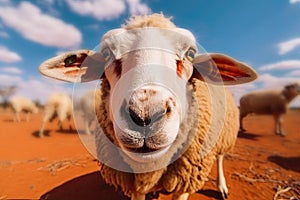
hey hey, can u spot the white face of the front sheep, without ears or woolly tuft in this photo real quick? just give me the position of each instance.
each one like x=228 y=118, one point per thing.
x=148 y=77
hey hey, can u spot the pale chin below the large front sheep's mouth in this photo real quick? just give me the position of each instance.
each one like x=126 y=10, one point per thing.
x=146 y=157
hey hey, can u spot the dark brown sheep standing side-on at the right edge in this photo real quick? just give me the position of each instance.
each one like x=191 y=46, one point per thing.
x=269 y=102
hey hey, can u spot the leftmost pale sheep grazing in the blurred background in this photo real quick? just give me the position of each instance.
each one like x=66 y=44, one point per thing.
x=22 y=104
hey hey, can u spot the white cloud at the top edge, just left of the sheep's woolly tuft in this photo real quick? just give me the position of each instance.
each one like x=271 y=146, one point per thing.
x=106 y=10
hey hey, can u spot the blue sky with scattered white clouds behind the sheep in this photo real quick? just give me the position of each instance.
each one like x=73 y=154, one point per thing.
x=264 y=34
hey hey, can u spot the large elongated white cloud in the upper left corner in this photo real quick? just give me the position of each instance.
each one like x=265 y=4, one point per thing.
x=32 y=24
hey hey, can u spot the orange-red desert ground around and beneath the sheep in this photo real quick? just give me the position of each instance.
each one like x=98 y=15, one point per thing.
x=262 y=165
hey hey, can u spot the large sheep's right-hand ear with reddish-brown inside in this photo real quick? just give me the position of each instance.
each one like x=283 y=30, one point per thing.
x=222 y=69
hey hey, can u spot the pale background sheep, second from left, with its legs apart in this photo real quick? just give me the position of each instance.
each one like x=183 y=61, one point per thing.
x=58 y=105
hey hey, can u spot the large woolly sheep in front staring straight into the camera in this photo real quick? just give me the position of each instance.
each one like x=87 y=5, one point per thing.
x=164 y=115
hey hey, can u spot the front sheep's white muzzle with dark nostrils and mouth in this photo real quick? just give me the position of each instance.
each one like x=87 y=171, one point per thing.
x=148 y=120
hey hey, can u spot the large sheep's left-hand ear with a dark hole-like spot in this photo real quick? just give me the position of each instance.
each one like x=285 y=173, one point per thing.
x=76 y=66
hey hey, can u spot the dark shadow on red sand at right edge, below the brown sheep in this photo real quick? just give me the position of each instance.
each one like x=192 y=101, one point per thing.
x=289 y=163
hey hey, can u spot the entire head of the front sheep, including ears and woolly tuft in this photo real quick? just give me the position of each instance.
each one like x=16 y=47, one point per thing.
x=148 y=64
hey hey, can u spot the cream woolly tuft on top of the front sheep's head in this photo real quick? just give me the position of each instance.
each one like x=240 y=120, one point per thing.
x=154 y=20
